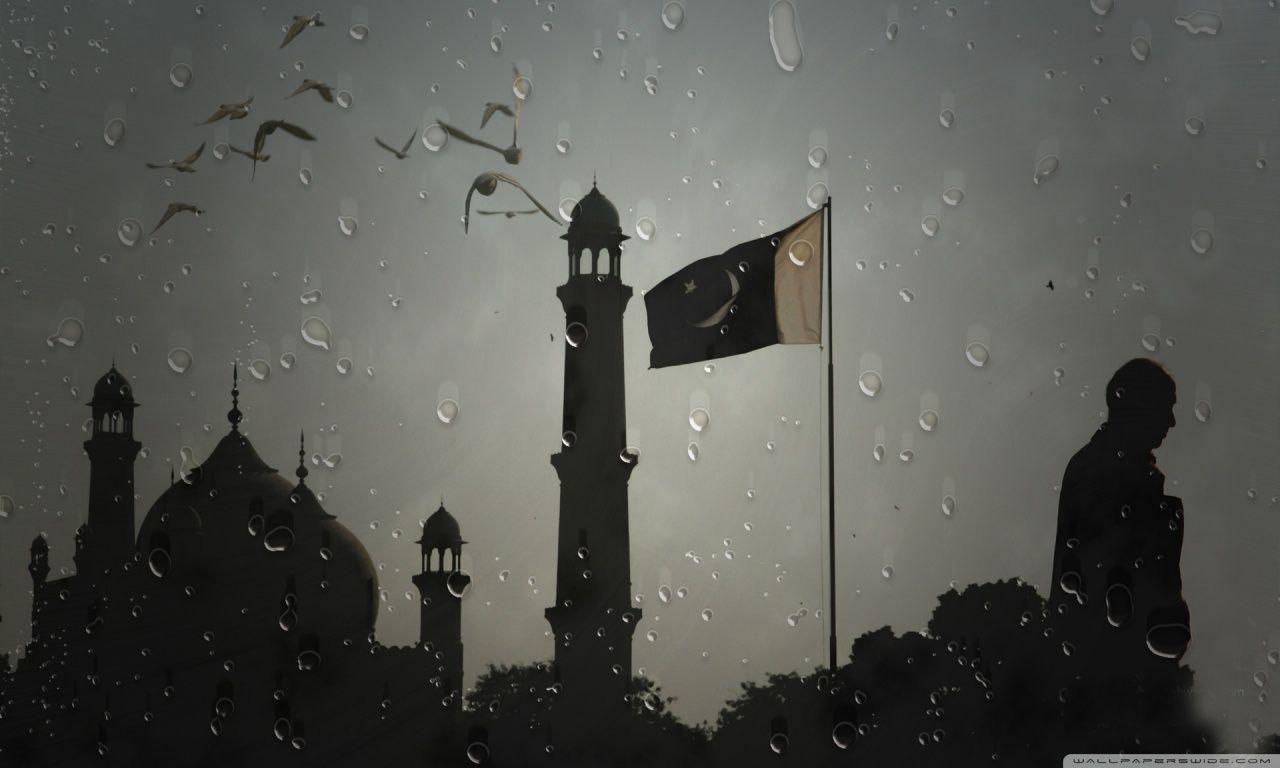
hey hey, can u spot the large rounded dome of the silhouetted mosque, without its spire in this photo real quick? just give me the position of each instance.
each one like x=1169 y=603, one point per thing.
x=240 y=536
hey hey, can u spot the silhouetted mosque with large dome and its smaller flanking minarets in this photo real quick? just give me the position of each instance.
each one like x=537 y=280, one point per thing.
x=237 y=628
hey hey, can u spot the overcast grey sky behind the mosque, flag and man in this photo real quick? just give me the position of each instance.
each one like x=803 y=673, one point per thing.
x=1162 y=134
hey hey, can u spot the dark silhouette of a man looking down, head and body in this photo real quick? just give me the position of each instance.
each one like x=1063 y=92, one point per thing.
x=1117 y=579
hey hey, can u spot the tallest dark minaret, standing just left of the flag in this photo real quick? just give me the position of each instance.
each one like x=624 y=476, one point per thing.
x=593 y=619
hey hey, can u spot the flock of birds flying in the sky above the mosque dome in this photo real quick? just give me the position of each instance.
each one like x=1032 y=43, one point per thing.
x=486 y=184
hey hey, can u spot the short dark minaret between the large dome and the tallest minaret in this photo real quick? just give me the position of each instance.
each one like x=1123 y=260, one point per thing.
x=442 y=584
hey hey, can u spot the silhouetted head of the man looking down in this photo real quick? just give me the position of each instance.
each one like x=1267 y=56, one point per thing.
x=1141 y=399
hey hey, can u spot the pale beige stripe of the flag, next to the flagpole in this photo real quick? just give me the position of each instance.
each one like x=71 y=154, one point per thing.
x=798 y=282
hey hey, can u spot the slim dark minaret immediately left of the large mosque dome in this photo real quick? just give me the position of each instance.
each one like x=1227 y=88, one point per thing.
x=112 y=451
